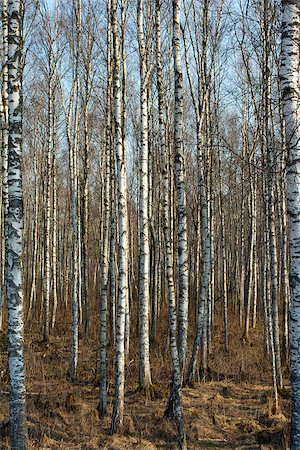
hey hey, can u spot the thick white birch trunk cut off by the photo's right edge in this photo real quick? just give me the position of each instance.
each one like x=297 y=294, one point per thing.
x=291 y=103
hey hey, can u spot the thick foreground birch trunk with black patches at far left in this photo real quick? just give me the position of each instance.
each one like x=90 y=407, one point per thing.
x=18 y=427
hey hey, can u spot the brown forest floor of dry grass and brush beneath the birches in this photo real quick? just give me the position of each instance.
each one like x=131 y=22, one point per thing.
x=232 y=410
